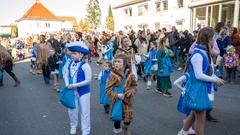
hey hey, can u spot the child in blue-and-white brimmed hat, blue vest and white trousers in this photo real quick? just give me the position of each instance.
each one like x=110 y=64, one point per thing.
x=81 y=75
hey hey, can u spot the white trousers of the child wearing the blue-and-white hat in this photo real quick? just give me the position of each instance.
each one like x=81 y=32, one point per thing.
x=82 y=105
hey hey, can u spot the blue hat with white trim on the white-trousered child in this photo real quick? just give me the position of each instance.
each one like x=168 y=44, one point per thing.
x=78 y=47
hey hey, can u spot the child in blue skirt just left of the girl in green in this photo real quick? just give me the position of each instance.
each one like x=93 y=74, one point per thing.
x=151 y=65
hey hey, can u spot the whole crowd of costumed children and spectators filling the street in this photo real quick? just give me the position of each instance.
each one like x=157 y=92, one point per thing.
x=206 y=58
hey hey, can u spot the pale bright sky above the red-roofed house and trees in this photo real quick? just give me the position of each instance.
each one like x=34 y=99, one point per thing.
x=11 y=10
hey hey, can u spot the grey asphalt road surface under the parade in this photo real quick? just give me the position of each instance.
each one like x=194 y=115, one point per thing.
x=33 y=109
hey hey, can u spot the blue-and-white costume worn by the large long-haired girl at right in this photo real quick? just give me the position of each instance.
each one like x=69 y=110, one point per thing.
x=199 y=80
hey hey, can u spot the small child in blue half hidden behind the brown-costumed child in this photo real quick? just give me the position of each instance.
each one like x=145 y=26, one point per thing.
x=103 y=77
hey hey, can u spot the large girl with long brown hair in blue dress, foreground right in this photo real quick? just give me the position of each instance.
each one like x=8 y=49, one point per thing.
x=199 y=70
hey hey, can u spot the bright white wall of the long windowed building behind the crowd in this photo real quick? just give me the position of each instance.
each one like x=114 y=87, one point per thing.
x=165 y=18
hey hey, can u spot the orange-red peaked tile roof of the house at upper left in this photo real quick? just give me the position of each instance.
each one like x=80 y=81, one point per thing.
x=38 y=12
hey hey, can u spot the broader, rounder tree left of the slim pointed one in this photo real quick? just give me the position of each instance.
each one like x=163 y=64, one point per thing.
x=93 y=14
